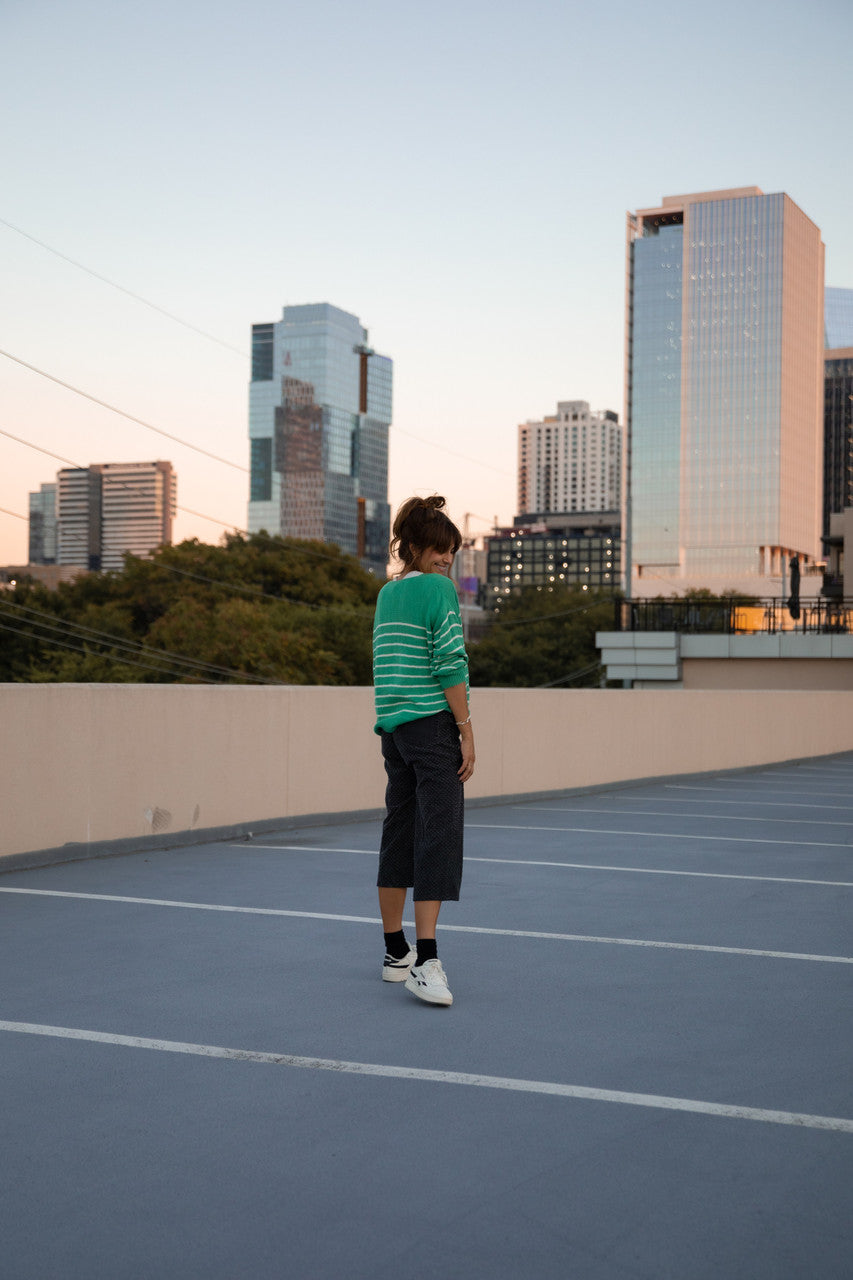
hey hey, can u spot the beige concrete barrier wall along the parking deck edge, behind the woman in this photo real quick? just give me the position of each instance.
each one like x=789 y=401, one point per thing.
x=94 y=764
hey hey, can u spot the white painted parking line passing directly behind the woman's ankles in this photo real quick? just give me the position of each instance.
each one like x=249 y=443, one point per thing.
x=450 y=929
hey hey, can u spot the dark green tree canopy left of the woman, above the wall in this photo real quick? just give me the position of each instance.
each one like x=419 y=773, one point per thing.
x=253 y=610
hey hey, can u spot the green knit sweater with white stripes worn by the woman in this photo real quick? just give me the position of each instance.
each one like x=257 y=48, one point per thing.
x=418 y=650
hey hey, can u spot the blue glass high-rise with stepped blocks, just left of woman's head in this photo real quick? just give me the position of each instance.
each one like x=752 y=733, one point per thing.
x=320 y=410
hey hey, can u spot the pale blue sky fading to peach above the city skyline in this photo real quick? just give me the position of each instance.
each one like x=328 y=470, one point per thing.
x=454 y=173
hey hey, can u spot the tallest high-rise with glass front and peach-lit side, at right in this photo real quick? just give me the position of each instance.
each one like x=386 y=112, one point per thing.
x=724 y=390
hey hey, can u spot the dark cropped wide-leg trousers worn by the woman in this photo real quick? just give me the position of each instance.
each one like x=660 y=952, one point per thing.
x=422 y=836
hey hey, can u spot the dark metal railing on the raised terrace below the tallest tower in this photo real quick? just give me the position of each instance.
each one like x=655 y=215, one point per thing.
x=736 y=618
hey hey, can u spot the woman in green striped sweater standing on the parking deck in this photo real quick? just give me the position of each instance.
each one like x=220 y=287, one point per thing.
x=421 y=682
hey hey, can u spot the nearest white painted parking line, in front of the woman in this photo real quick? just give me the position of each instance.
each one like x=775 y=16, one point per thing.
x=836 y=1124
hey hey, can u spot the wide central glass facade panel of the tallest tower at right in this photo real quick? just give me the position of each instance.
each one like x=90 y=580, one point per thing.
x=733 y=383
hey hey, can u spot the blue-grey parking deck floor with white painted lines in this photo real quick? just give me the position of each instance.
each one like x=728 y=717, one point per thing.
x=646 y=1072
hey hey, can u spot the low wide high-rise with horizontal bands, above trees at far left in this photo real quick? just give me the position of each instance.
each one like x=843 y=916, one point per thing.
x=115 y=508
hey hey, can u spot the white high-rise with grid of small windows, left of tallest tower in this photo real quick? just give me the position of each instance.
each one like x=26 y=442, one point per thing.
x=571 y=463
